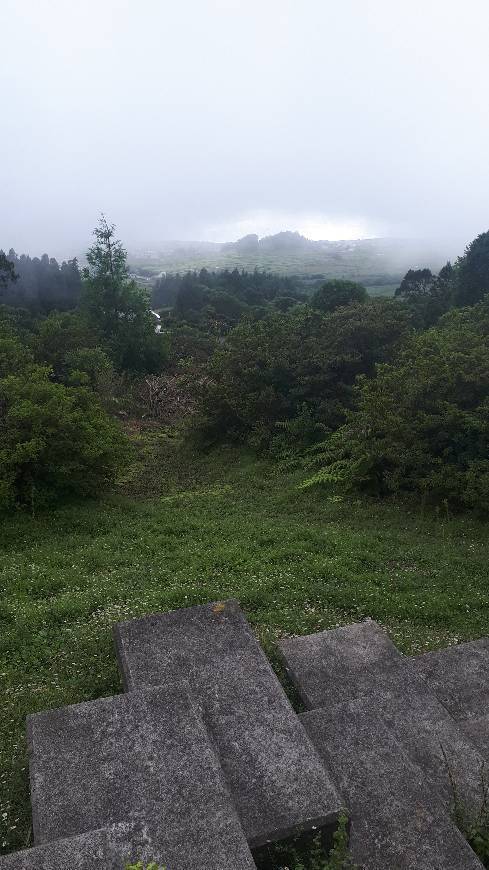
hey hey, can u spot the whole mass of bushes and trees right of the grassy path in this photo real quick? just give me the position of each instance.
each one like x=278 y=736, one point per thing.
x=388 y=396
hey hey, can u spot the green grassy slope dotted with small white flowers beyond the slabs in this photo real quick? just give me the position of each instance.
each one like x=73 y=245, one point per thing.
x=208 y=528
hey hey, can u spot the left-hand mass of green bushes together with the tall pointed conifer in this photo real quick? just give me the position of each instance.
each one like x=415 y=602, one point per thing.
x=56 y=438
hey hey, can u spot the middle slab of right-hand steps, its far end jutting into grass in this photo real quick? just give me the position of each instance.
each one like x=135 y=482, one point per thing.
x=360 y=661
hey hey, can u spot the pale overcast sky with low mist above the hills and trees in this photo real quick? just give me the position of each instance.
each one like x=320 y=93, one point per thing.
x=206 y=119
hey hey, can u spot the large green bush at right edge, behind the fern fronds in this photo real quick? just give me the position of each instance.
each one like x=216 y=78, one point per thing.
x=422 y=425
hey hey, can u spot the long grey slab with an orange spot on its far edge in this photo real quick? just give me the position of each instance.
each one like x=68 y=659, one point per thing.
x=278 y=783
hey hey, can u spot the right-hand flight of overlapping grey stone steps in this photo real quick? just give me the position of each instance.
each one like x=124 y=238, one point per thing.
x=398 y=737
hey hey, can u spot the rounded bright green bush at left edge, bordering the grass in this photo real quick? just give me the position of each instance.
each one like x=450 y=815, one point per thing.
x=55 y=441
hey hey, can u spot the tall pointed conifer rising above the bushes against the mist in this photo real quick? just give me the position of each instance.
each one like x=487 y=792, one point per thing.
x=117 y=309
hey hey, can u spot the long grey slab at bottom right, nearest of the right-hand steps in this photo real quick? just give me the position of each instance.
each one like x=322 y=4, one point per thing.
x=395 y=823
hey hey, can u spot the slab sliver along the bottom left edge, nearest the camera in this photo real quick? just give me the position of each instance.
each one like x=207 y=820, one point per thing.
x=144 y=840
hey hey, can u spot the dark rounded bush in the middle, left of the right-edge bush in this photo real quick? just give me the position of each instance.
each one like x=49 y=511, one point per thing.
x=299 y=364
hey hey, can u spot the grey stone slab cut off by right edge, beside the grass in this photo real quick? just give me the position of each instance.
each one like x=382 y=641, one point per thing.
x=459 y=676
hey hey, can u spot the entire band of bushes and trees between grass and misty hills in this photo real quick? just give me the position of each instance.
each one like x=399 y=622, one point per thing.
x=386 y=395
